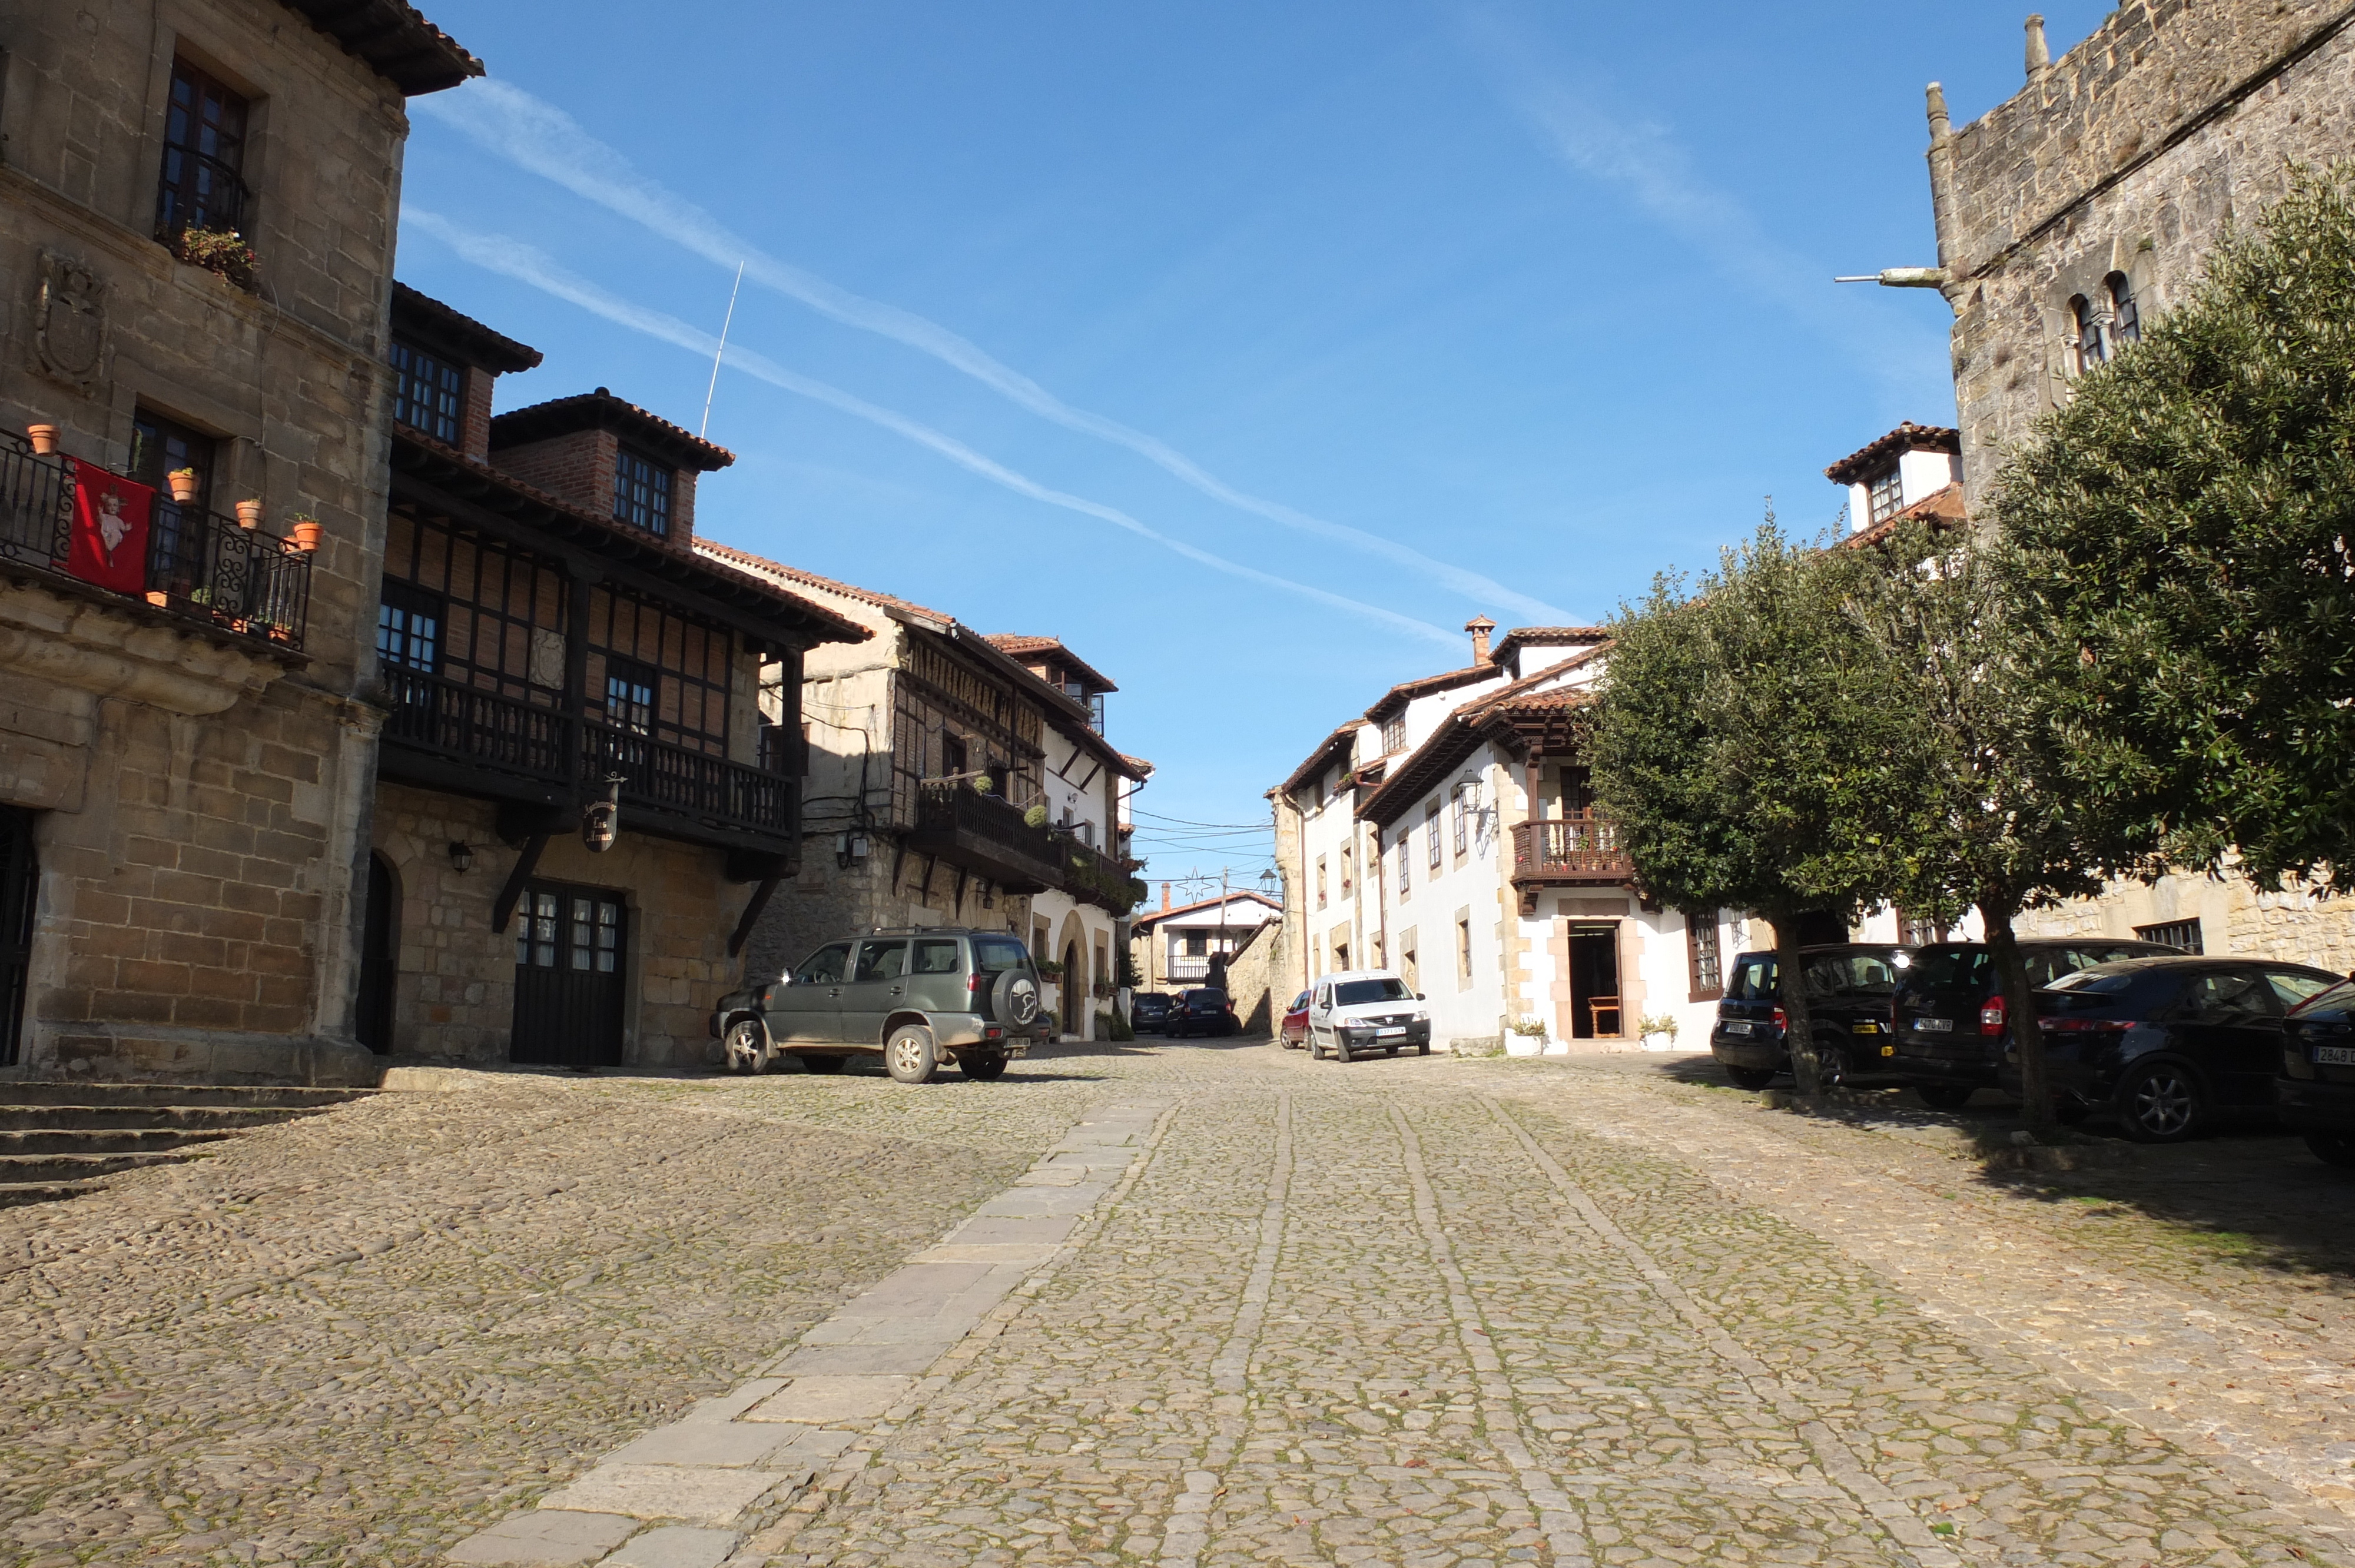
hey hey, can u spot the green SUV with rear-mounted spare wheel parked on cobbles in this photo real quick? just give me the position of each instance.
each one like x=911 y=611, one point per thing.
x=917 y=997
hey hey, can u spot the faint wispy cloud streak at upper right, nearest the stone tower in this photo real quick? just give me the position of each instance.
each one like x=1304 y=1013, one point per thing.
x=1574 y=119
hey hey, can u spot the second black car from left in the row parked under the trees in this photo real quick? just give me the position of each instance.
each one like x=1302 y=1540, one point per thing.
x=1949 y=1014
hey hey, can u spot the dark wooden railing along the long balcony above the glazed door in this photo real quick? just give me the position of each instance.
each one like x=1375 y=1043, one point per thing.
x=569 y=755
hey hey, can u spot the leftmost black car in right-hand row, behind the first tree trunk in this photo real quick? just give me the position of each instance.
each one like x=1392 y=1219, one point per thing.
x=1847 y=999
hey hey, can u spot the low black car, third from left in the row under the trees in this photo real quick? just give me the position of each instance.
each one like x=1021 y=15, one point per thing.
x=2168 y=1044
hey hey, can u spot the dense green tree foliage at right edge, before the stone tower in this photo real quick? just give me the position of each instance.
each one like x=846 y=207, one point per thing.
x=2189 y=526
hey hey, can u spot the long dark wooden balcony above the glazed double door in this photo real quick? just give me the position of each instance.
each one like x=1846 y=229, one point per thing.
x=460 y=738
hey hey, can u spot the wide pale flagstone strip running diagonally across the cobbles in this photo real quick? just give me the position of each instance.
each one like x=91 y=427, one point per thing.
x=686 y=1496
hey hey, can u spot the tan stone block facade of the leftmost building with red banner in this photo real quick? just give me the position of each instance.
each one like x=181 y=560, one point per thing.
x=199 y=799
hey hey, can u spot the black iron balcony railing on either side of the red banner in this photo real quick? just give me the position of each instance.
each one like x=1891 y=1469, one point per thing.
x=199 y=566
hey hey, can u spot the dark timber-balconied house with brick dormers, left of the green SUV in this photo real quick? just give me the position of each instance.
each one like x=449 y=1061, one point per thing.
x=550 y=642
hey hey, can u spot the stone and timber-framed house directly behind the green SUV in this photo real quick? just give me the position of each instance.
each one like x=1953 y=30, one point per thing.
x=953 y=785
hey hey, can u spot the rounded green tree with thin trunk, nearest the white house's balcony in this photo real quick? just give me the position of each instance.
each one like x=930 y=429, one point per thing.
x=1744 y=750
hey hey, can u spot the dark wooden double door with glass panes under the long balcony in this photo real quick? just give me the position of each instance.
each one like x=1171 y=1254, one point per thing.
x=571 y=976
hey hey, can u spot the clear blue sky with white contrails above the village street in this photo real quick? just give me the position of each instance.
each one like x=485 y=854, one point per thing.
x=1249 y=350
